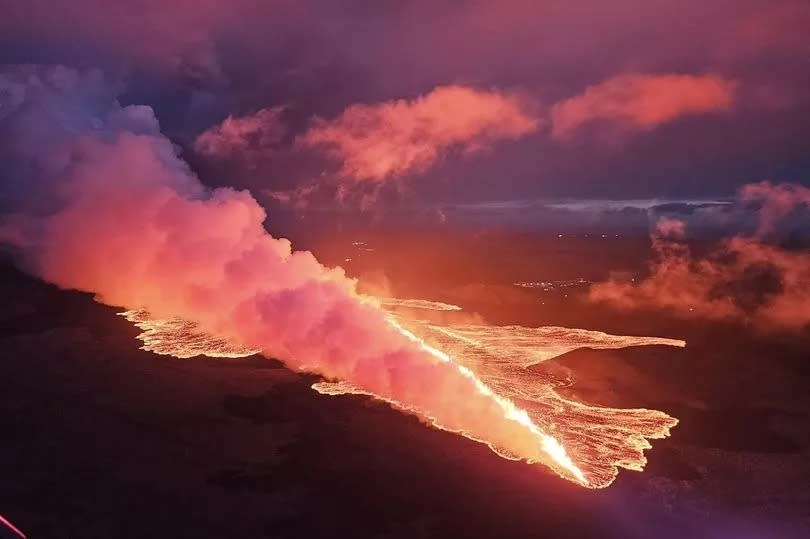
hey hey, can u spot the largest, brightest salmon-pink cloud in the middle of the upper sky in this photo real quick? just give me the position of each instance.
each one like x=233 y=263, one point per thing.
x=376 y=142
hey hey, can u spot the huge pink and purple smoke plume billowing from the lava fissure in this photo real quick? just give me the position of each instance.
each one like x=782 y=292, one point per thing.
x=104 y=205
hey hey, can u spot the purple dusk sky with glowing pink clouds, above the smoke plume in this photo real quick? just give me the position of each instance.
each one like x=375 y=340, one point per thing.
x=370 y=104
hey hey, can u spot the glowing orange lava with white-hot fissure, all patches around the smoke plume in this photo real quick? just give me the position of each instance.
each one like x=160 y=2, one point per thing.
x=585 y=444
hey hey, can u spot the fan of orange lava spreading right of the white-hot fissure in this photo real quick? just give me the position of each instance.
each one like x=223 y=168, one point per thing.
x=599 y=439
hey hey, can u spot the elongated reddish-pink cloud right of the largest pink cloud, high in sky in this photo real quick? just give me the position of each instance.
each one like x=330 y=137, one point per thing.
x=642 y=101
